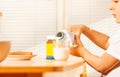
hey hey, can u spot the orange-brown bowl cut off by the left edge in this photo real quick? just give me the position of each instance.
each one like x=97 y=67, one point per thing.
x=4 y=49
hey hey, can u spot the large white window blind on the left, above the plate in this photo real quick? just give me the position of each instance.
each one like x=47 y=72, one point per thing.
x=26 y=23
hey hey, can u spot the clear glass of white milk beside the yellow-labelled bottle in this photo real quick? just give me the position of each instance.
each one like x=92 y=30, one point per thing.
x=61 y=53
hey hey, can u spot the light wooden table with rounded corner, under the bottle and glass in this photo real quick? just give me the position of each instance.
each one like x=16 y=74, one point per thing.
x=35 y=67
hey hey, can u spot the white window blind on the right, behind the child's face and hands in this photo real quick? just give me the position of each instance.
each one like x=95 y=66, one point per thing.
x=87 y=11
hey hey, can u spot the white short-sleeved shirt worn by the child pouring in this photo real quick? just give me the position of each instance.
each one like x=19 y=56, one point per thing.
x=114 y=50
